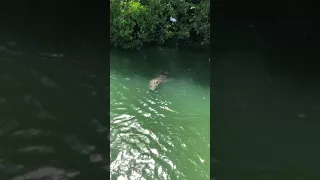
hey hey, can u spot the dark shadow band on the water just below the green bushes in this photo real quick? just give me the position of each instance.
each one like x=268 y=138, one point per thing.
x=154 y=60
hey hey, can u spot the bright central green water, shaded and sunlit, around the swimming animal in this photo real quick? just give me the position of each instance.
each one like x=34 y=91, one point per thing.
x=162 y=134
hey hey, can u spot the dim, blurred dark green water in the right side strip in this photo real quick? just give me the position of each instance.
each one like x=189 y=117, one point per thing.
x=266 y=99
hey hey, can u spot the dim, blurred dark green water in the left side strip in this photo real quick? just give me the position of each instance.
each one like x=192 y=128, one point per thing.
x=52 y=110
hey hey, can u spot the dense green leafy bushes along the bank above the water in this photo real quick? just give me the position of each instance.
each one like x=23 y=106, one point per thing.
x=134 y=23
